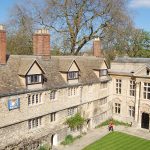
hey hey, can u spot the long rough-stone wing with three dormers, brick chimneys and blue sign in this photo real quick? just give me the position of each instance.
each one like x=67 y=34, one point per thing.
x=39 y=92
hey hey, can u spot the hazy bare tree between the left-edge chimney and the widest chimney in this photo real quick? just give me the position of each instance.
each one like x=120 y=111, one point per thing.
x=20 y=27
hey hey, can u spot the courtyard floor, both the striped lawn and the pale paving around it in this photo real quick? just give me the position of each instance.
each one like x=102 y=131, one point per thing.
x=122 y=138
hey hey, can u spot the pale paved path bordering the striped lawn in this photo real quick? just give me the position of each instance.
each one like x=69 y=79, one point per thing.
x=95 y=134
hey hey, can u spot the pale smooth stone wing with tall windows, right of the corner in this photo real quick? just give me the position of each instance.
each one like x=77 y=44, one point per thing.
x=131 y=90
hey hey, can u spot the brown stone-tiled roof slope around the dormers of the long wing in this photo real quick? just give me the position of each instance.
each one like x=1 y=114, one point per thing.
x=19 y=64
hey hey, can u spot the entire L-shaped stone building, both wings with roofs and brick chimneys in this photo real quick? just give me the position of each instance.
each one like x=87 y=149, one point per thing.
x=39 y=92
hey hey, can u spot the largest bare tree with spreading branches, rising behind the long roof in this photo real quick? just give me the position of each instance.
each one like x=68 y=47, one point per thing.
x=76 y=21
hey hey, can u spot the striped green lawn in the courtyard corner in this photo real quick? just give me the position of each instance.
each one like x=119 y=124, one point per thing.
x=119 y=141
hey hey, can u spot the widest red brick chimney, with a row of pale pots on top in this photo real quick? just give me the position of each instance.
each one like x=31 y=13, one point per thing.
x=41 y=43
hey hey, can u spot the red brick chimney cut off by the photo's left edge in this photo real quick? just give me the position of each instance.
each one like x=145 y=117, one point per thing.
x=2 y=45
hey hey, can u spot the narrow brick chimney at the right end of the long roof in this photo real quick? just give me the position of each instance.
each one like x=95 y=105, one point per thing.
x=97 y=48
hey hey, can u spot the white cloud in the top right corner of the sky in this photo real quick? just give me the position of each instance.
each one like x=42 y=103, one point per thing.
x=140 y=3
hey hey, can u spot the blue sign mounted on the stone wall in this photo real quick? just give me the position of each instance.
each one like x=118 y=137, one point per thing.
x=14 y=104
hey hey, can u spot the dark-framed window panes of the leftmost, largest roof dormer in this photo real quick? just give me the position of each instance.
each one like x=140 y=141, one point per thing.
x=34 y=79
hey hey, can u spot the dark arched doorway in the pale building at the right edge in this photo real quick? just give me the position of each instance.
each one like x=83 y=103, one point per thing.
x=145 y=121
